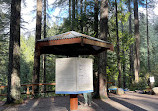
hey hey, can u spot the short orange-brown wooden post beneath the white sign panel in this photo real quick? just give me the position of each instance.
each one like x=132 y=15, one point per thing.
x=73 y=102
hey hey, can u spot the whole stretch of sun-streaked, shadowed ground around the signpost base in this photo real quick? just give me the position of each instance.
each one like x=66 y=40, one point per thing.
x=127 y=102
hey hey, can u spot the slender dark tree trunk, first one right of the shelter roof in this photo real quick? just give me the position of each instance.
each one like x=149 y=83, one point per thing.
x=118 y=49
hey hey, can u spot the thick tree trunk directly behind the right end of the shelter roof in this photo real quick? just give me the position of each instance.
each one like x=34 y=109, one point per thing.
x=103 y=56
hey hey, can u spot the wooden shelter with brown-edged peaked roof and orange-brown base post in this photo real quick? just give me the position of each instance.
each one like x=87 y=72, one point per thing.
x=71 y=44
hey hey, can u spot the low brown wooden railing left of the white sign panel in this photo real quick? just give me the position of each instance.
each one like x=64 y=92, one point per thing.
x=28 y=92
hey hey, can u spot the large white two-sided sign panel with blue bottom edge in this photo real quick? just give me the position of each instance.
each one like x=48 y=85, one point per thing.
x=74 y=75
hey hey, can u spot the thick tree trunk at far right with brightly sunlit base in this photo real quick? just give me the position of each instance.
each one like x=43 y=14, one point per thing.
x=137 y=42
